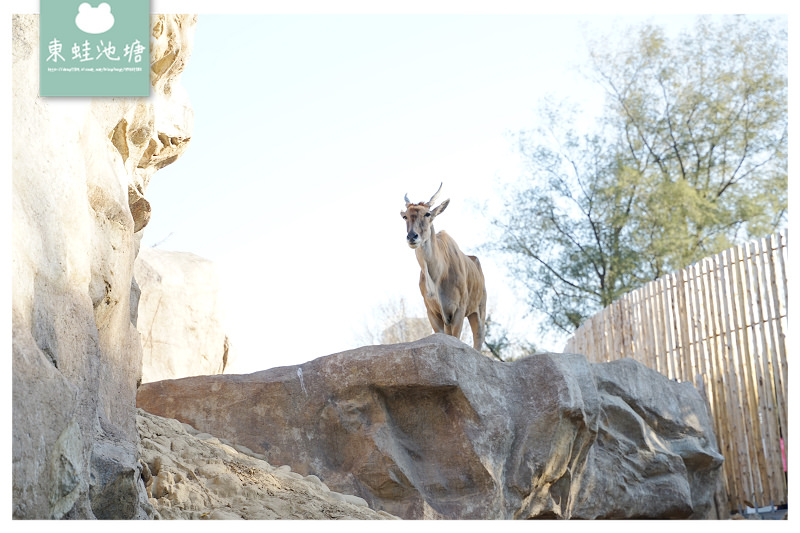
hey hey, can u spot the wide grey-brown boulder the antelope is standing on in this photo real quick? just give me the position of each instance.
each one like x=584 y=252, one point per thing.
x=433 y=429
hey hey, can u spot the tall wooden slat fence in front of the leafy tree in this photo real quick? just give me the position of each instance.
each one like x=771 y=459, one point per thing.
x=720 y=324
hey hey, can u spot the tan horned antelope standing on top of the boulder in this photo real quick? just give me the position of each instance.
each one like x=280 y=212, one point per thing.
x=451 y=283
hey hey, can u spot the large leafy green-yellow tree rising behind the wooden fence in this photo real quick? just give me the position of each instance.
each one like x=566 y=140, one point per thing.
x=688 y=157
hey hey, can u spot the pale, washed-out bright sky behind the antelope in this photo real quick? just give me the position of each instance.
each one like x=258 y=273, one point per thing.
x=309 y=130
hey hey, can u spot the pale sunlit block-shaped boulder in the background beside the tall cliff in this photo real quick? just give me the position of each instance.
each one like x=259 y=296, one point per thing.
x=179 y=316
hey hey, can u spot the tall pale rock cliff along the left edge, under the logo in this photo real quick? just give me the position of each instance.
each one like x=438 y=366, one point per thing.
x=79 y=170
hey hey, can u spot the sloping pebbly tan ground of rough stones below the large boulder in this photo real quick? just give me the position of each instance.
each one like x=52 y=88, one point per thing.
x=193 y=475
